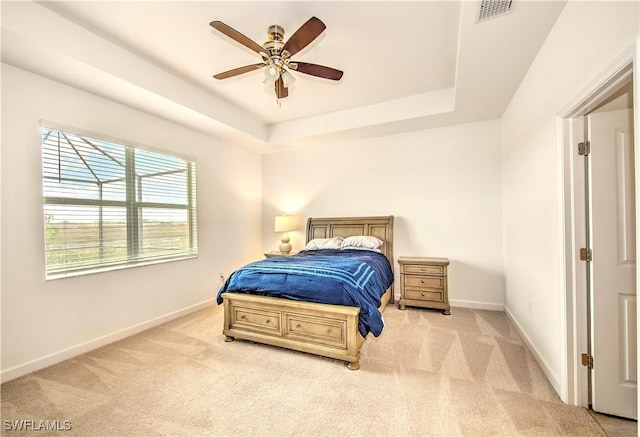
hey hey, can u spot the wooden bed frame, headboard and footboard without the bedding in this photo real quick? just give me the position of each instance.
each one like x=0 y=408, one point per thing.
x=321 y=329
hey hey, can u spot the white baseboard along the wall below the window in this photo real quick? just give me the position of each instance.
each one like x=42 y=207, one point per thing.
x=57 y=357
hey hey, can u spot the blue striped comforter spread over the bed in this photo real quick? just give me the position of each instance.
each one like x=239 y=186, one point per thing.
x=348 y=277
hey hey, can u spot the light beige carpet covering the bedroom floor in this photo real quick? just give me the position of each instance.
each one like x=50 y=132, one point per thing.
x=467 y=374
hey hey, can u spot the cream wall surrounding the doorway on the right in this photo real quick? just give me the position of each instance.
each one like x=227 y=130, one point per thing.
x=586 y=39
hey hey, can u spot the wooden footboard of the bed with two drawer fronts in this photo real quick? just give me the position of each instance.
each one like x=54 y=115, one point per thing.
x=321 y=329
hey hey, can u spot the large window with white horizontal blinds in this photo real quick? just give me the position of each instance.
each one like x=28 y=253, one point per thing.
x=108 y=205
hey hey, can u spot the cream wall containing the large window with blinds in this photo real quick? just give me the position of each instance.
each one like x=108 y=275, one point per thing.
x=46 y=321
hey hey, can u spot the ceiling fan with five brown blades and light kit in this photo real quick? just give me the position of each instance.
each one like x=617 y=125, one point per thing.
x=276 y=55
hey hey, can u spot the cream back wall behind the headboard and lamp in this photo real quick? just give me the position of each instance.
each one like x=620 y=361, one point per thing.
x=442 y=185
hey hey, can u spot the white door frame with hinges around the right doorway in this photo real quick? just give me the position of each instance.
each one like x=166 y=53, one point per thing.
x=571 y=128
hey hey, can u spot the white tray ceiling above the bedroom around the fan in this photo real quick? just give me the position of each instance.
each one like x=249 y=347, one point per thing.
x=407 y=65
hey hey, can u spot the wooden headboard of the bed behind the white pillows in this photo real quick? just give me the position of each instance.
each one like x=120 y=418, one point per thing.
x=380 y=227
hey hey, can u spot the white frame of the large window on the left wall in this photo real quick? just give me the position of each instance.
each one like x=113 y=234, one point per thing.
x=132 y=204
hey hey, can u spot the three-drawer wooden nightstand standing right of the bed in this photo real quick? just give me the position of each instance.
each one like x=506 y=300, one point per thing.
x=423 y=283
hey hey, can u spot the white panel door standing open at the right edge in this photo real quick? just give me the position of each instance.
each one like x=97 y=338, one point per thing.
x=613 y=236
